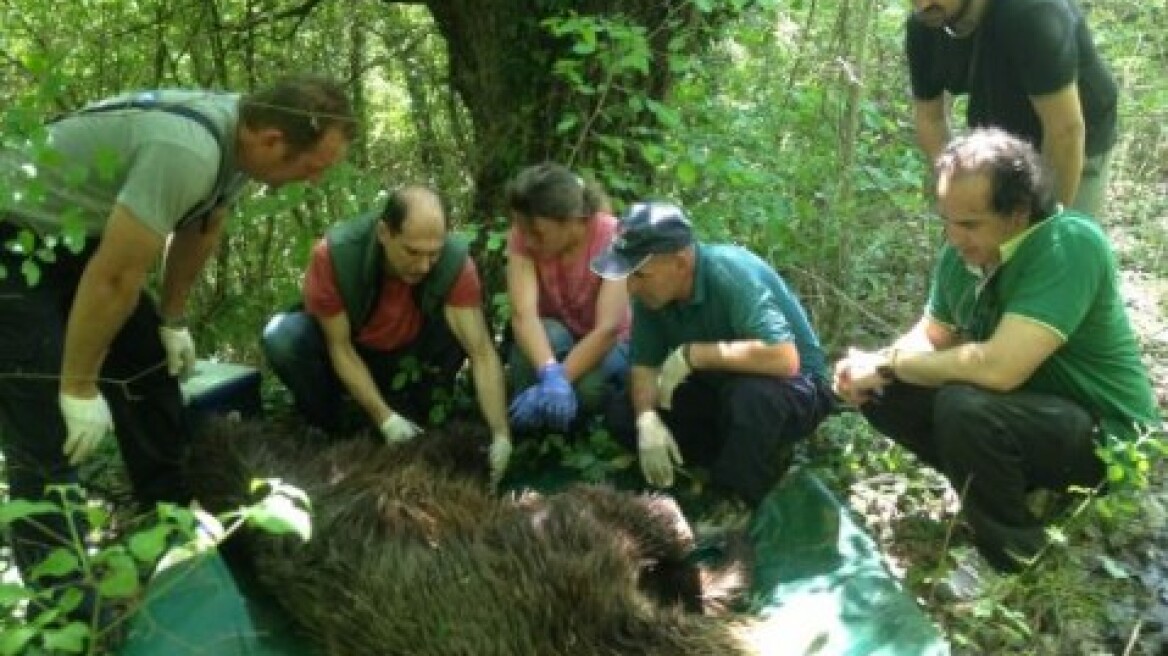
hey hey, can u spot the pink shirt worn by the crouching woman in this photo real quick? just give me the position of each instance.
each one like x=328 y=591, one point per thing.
x=568 y=289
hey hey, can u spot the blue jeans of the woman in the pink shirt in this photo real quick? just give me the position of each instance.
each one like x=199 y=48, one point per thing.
x=594 y=389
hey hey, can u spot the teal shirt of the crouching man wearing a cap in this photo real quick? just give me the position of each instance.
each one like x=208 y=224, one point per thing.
x=736 y=297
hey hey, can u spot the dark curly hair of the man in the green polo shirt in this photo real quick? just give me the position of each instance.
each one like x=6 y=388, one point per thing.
x=1019 y=179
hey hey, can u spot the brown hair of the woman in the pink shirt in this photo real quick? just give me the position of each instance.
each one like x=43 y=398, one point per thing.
x=552 y=191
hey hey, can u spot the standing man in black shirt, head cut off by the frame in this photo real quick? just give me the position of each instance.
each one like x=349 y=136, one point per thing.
x=1031 y=68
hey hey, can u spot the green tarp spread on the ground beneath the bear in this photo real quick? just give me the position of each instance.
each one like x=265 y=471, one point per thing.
x=821 y=588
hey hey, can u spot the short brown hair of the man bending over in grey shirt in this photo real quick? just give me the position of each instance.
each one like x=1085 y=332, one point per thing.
x=304 y=108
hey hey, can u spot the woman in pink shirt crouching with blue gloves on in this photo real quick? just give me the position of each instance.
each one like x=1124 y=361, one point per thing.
x=571 y=326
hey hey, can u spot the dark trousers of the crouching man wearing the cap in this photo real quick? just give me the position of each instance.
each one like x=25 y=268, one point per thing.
x=741 y=427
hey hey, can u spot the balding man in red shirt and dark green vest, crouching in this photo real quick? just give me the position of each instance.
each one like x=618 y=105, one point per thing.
x=393 y=308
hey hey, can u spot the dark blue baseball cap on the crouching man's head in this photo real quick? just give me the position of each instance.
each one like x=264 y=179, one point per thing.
x=645 y=231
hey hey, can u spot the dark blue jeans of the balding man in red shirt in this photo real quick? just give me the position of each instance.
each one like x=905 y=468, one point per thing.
x=412 y=379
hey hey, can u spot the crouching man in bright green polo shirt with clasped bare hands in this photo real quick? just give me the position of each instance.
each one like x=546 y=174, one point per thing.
x=1025 y=359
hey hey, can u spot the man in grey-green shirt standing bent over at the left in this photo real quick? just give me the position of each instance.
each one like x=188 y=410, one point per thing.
x=84 y=352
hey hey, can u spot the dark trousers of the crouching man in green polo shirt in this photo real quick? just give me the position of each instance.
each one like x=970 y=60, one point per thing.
x=995 y=448
